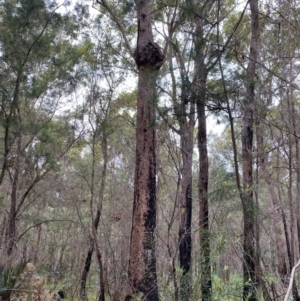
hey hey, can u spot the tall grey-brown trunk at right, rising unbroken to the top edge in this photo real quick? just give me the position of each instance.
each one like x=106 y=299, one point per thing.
x=249 y=210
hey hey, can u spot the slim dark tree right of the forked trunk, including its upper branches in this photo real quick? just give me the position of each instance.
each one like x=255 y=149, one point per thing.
x=205 y=54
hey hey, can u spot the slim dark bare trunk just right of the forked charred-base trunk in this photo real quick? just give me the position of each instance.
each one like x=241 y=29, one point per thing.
x=199 y=90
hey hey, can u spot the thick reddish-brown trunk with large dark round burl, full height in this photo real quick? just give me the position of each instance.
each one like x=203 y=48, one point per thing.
x=142 y=261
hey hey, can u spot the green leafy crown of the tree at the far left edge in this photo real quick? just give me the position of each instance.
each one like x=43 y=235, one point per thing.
x=38 y=64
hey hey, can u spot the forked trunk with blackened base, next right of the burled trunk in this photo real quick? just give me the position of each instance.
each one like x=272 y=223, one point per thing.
x=185 y=113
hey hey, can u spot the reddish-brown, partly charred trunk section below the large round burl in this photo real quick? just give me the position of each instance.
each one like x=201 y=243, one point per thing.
x=142 y=263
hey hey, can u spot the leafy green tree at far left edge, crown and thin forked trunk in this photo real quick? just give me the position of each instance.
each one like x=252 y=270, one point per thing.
x=37 y=67
